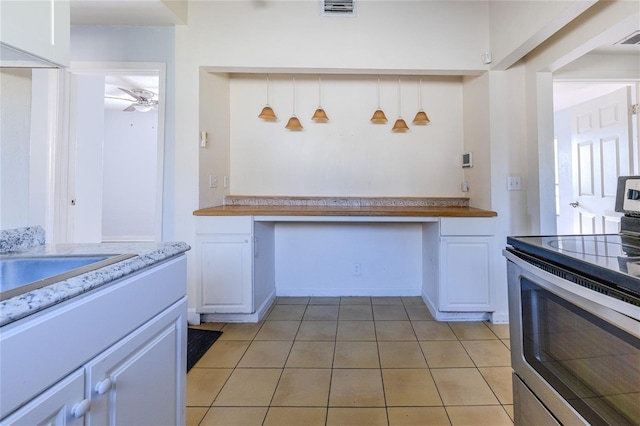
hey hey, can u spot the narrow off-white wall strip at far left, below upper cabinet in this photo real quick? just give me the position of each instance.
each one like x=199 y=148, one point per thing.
x=15 y=110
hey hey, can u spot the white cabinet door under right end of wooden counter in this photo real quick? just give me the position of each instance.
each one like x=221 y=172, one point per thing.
x=465 y=282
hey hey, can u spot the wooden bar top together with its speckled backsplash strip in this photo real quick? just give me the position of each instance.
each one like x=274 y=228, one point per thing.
x=344 y=206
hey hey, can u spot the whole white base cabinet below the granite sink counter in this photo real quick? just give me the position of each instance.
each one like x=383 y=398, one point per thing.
x=113 y=356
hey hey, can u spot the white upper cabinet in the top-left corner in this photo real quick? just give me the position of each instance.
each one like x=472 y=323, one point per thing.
x=37 y=32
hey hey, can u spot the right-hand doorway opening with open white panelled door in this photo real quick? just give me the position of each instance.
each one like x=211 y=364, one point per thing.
x=595 y=143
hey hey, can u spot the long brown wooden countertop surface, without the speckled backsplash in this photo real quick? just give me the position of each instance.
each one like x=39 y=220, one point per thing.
x=392 y=211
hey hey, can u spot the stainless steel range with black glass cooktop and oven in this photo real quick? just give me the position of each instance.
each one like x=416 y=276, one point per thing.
x=574 y=307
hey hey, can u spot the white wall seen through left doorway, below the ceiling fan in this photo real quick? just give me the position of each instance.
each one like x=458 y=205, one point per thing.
x=129 y=184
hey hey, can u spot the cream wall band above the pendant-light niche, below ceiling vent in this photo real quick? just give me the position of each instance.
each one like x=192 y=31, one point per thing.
x=440 y=36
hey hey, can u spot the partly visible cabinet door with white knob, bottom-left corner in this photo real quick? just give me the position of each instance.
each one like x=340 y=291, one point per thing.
x=61 y=404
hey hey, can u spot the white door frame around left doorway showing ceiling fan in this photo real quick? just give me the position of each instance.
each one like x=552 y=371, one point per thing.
x=64 y=211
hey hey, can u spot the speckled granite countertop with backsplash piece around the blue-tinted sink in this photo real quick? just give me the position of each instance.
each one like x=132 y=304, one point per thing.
x=27 y=242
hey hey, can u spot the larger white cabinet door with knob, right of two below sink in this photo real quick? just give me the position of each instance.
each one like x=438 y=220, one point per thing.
x=141 y=379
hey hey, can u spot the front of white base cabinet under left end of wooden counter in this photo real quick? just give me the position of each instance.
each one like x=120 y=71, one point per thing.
x=225 y=265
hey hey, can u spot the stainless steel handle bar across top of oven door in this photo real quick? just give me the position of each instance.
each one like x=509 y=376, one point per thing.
x=624 y=315
